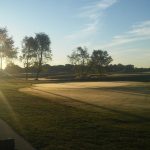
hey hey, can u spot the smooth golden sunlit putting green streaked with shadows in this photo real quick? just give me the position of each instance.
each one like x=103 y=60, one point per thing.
x=96 y=93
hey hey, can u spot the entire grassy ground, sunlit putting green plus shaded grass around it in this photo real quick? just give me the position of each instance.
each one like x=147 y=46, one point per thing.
x=79 y=116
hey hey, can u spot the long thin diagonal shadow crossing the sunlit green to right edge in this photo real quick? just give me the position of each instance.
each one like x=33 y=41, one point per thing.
x=140 y=118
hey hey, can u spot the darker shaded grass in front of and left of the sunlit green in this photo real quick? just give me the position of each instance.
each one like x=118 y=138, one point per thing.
x=49 y=125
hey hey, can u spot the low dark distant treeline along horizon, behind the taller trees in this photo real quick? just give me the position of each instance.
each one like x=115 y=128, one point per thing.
x=68 y=69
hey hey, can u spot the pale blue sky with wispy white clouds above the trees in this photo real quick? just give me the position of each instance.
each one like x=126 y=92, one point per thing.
x=122 y=27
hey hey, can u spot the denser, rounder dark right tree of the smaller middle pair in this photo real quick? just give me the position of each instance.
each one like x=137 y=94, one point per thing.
x=100 y=59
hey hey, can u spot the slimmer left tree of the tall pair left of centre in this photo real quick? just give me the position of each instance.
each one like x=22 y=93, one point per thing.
x=28 y=52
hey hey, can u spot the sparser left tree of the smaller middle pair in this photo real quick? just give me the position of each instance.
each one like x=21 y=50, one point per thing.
x=79 y=58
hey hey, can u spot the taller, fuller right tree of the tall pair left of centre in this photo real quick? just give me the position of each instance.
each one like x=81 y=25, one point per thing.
x=43 y=51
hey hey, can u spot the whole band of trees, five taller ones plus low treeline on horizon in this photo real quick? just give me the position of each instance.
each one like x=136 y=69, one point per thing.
x=36 y=53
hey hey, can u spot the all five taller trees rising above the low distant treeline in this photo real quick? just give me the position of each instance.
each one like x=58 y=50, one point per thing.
x=36 y=52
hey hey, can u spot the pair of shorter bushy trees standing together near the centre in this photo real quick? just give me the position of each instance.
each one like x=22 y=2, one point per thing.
x=84 y=63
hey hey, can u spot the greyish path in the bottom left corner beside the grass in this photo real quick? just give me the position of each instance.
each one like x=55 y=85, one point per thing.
x=7 y=132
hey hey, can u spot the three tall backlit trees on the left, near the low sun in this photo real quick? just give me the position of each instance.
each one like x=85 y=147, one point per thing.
x=35 y=50
